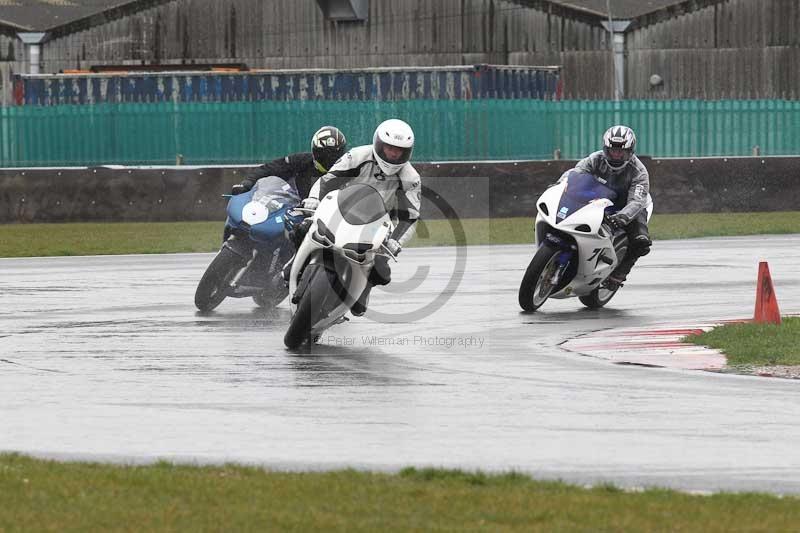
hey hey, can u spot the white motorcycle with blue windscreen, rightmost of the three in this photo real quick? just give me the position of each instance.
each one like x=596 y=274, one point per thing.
x=576 y=247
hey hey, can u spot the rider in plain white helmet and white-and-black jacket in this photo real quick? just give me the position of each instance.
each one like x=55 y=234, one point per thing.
x=385 y=166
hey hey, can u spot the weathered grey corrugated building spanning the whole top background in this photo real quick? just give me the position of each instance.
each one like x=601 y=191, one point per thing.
x=672 y=49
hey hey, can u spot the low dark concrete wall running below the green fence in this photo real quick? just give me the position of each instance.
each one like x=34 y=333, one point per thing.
x=473 y=190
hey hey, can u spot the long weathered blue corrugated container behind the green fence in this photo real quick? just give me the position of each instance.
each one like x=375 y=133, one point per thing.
x=433 y=83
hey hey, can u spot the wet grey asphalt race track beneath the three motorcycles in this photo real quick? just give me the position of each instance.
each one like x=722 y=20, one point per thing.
x=107 y=358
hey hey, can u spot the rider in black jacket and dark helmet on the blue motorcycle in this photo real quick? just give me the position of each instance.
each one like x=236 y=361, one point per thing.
x=301 y=169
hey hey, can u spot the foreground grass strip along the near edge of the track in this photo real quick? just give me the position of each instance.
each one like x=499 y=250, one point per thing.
x=38 y=495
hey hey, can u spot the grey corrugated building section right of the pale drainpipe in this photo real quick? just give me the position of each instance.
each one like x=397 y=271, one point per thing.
x=717 y=50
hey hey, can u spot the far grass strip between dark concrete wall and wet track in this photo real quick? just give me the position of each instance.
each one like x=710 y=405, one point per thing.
x=27 y=240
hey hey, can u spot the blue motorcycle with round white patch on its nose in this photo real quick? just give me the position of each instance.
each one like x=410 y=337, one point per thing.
x=255 y=247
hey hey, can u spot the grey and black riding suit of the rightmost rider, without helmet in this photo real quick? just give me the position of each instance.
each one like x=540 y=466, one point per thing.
x=632 y=185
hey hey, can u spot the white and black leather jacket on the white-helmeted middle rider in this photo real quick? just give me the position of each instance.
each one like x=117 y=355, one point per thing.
x=401 y=192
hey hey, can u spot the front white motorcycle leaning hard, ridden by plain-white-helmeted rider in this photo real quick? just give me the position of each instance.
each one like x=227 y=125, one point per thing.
x=330 y=270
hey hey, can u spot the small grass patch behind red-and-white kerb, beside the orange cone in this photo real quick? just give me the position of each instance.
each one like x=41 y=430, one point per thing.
x=755 y=344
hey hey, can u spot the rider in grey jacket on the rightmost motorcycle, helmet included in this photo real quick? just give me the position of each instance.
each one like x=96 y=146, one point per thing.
x=619 y=168
